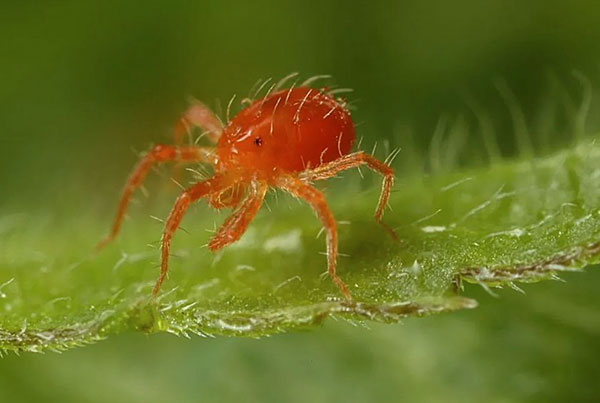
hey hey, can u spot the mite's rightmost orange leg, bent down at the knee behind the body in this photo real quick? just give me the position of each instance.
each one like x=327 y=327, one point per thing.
x=355 y=160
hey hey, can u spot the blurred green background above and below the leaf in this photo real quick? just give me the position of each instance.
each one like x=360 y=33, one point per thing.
x=84 y=83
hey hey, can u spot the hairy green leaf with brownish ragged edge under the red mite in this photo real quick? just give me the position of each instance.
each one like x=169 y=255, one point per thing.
x=495 y=226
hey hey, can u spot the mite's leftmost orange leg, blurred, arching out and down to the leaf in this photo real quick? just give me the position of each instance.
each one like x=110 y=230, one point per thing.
x=160 y=153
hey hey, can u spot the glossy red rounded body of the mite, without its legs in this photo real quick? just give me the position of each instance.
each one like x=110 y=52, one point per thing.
x=289 y=131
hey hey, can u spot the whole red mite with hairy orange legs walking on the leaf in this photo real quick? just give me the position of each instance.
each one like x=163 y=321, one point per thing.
x=288 y=140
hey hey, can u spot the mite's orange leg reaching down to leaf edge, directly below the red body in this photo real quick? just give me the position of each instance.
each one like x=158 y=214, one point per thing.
x=316 y=200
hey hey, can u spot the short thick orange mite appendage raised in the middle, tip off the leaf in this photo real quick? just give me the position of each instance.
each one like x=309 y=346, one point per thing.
x=235 y=226
